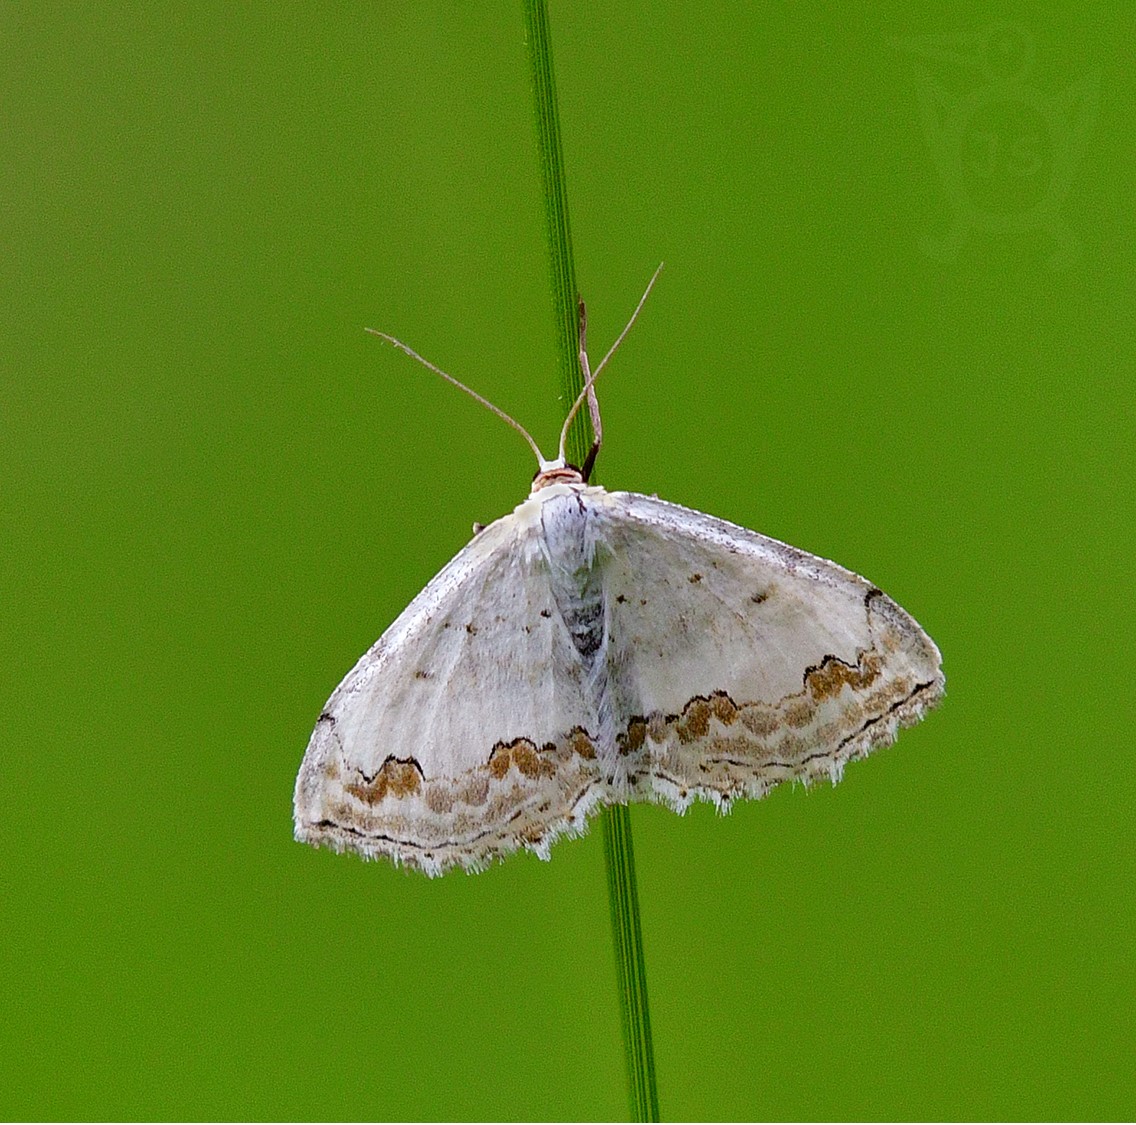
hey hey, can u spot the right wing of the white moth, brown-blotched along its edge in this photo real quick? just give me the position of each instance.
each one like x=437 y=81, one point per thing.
x=741 y=662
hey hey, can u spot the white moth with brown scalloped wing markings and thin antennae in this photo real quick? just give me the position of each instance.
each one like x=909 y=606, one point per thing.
x=598 y=647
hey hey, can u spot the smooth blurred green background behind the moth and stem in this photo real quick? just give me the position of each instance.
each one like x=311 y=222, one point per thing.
x=218 y=491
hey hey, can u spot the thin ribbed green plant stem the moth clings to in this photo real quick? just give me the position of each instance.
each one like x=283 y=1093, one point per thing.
x=620 y=856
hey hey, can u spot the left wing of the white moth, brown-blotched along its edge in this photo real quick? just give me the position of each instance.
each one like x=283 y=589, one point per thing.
x=460 y=736
